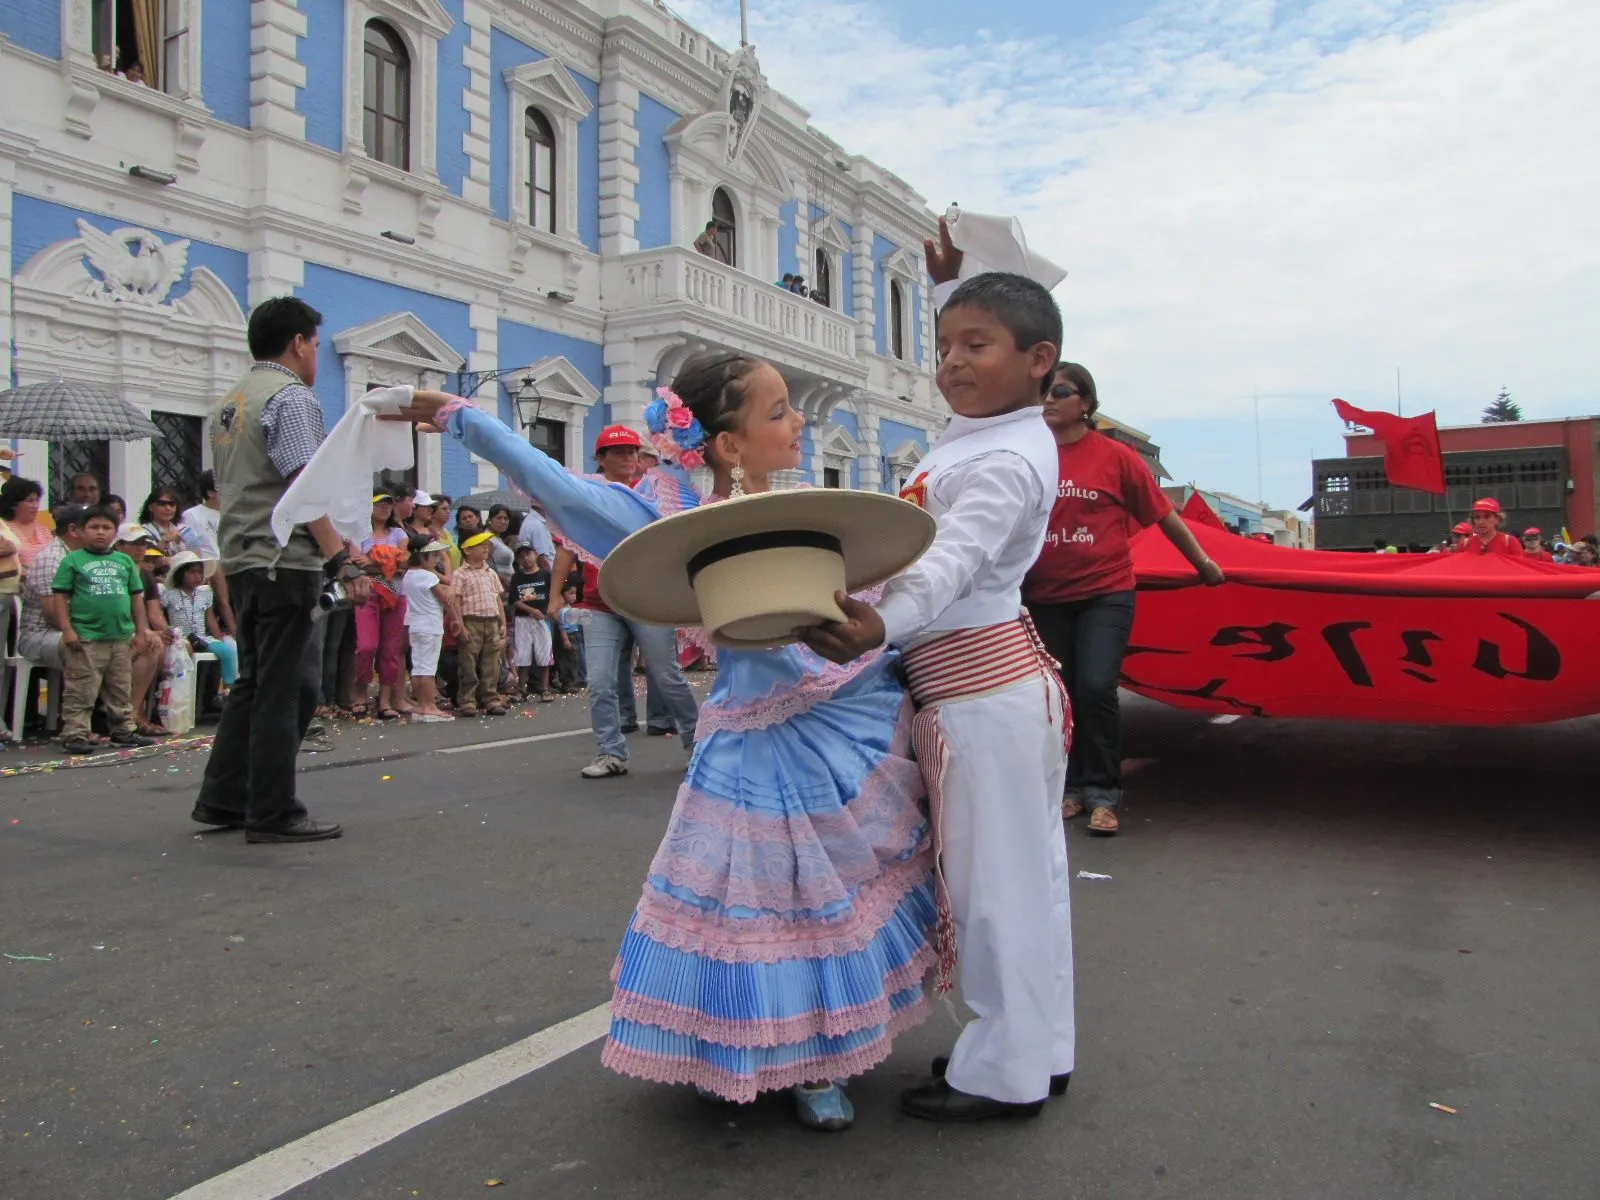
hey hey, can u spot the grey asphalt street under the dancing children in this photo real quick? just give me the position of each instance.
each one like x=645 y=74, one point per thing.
x=1311 y=937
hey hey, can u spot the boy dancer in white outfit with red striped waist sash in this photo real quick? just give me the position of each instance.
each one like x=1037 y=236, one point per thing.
x=993 y=718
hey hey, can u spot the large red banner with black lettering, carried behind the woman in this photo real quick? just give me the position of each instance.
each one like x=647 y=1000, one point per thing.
x=1417 y=639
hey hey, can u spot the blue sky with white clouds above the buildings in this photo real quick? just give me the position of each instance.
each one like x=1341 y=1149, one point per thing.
x=1282 y=201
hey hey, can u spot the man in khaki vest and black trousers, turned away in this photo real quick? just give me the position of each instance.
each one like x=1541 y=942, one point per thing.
x=263 y=433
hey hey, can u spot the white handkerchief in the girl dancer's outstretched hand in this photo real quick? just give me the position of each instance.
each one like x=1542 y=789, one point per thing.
x=338 y=481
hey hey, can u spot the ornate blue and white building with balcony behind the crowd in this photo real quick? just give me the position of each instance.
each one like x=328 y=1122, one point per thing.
x=463 y=188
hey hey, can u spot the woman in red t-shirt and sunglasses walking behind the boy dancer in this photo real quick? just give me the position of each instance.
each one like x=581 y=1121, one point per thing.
x=1081 y=590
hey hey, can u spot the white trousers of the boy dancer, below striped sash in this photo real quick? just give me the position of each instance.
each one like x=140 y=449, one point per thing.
x=1006 y=866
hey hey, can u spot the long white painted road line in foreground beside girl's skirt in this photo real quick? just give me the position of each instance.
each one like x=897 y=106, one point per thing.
x=305 y=1159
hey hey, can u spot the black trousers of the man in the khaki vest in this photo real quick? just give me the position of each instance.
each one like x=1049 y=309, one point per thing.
x=252 y=767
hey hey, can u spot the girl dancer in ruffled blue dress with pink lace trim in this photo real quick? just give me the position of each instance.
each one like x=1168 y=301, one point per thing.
x=785 y=930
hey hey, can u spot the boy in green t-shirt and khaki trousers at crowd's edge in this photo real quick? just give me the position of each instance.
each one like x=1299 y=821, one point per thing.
x=100 y=612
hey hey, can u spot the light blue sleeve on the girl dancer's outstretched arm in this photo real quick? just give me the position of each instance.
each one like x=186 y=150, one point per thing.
x=596 y=516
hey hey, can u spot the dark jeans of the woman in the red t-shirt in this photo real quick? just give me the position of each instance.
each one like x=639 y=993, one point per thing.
x=1089 y=639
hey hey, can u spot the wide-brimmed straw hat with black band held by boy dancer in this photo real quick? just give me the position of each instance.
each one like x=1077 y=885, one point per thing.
x=754 y=569
